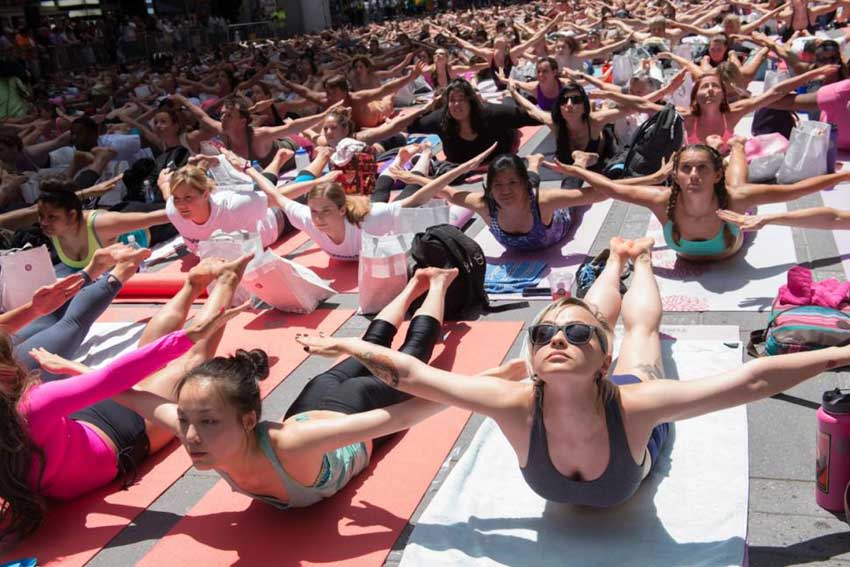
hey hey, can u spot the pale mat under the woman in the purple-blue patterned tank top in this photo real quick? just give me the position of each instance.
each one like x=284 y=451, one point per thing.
x=586 y=224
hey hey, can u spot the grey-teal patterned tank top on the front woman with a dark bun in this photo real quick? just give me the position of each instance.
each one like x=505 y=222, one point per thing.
x=338 y=467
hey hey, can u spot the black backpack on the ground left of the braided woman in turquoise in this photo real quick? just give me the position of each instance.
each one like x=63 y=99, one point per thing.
x=657 y=138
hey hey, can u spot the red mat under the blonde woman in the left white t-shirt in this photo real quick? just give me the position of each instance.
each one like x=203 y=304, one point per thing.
x=162 y=282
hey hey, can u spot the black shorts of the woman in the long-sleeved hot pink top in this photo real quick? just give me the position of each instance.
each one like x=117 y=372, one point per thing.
x=127 y=431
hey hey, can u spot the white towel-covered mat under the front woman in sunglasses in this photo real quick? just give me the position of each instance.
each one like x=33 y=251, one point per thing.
x=690 y=511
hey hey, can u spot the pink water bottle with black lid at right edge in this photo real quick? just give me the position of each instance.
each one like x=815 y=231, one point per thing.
x=832 y=466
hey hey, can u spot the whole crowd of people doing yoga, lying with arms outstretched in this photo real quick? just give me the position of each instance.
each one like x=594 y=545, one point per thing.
x=473 y=80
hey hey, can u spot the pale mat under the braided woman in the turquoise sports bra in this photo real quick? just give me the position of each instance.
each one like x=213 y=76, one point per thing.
x=748 y=281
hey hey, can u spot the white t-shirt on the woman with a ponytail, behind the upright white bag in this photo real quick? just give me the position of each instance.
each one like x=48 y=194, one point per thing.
x=380 y=220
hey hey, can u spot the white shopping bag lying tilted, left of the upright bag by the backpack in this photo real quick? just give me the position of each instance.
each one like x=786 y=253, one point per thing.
x=285 y=285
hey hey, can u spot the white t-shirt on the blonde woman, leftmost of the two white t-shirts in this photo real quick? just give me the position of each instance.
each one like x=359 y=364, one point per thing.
x=229 y=211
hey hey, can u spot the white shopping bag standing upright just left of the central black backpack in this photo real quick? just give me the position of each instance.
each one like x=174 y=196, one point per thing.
x=382 y=272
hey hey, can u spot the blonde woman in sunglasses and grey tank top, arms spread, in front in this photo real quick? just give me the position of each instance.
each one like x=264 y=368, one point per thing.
x=580 y=435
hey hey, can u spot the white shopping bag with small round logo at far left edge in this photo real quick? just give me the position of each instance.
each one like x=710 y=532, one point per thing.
x=22 y=271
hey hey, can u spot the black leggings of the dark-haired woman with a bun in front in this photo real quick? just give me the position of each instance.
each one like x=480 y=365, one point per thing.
x=350 y=388
